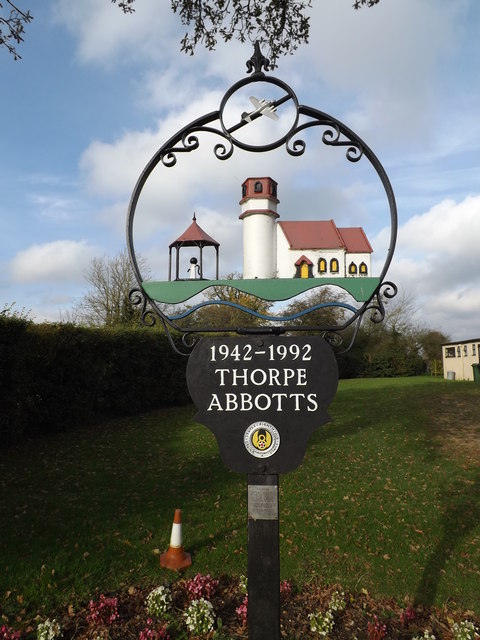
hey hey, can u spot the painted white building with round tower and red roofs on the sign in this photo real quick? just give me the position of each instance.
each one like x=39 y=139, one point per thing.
x=296 y=249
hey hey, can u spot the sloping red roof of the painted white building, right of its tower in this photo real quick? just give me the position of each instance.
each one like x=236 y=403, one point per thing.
x=324 y=234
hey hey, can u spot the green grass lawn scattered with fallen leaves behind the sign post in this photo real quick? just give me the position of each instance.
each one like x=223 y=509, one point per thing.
x=387 y=499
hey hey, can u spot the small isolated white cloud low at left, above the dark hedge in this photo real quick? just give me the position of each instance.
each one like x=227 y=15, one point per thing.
x=53 y=261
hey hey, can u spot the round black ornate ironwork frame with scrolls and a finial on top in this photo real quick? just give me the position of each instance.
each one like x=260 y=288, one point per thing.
x=335 y=134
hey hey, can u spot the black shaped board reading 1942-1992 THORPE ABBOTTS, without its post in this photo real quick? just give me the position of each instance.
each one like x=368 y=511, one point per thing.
x=262 y=397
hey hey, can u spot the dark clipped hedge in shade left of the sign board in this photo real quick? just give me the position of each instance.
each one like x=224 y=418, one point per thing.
x=56 y=376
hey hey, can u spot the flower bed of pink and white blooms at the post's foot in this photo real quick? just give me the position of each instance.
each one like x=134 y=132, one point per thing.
x=207 y=608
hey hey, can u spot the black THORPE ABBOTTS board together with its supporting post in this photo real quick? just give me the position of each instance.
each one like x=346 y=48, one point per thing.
x=262 y=397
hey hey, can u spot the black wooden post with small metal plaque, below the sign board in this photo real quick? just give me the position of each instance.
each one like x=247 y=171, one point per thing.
x=263 y=558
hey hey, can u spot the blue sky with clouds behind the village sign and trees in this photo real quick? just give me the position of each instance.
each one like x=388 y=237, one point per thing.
x=98 y=92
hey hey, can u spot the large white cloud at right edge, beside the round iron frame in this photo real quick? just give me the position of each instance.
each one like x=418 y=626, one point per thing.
x=436 y=262
